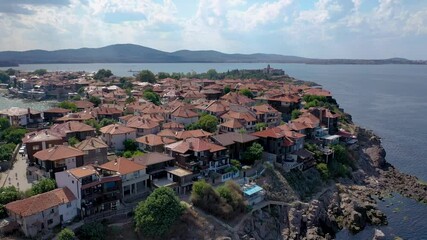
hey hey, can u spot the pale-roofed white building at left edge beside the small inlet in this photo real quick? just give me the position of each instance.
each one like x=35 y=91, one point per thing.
x=21 y=116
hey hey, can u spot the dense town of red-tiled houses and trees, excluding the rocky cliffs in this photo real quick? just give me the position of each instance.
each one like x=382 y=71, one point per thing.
x=114 y=141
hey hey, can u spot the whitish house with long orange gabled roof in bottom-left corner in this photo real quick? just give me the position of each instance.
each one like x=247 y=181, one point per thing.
x=39 y=214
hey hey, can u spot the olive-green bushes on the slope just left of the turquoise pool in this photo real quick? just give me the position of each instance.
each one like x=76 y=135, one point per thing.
x=227 y=201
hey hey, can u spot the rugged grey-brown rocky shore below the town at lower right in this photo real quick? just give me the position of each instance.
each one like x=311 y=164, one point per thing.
x=349 y=203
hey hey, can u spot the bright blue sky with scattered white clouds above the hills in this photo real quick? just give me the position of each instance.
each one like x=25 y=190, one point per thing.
x=307 y=28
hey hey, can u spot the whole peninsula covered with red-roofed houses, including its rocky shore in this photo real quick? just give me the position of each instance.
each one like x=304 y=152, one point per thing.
x=251 y=154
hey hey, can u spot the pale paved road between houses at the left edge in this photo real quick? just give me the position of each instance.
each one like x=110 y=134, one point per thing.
x=17 y=176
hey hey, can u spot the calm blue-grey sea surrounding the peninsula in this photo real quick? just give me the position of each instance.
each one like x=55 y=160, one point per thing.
x=391 y=100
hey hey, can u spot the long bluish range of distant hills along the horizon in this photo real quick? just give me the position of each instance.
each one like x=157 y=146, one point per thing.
x=130 y=53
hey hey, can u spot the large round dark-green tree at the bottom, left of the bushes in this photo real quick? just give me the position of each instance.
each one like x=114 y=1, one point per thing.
x=155 y=215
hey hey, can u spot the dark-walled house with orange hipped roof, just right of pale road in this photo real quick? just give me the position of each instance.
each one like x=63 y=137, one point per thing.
x=57 y=159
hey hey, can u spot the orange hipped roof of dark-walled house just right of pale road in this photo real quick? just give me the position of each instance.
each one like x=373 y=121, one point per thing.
x=58 y=152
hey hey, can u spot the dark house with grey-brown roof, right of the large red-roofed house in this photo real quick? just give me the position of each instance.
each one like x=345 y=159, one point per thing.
x=236 y=143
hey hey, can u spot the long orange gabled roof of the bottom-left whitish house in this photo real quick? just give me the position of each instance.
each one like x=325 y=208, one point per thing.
x=41 y=202
